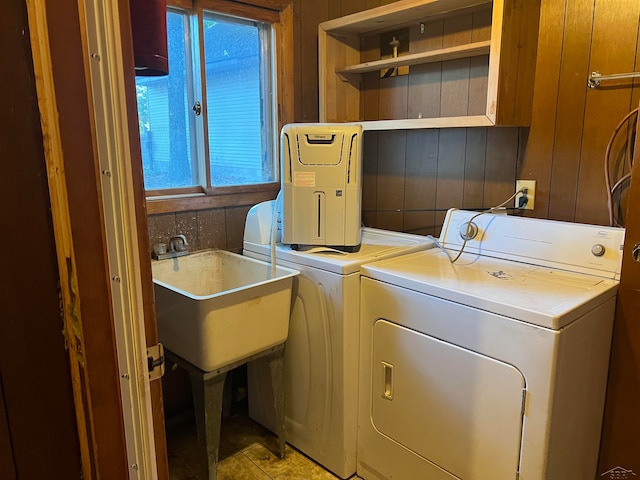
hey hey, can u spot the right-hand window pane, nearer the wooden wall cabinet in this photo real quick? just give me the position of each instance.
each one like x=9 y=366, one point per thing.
x=238 y=100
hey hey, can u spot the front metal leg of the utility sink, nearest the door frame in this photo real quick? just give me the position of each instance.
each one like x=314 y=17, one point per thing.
x=208 y=393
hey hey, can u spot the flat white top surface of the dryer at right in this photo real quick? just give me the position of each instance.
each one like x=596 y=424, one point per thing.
x=543 y=296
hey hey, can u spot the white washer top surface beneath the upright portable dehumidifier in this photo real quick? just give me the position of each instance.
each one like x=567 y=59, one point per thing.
x=376 y=245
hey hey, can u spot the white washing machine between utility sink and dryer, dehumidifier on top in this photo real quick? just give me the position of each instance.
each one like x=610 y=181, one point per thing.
x=321 y=352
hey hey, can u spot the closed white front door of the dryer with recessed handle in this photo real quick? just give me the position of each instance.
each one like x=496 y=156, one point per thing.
x=456 y=408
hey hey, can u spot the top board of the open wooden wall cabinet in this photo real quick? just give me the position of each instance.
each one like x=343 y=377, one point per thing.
x=396 y=14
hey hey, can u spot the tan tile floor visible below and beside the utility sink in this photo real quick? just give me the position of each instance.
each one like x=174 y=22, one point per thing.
x=245 y=453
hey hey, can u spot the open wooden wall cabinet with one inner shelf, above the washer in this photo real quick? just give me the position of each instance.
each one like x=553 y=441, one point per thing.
x=471 y=63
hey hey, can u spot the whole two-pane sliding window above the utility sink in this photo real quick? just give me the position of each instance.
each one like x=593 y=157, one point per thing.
x=210 y=126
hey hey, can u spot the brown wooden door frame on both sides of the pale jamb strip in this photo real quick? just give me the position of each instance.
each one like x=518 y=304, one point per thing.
x=77 y=209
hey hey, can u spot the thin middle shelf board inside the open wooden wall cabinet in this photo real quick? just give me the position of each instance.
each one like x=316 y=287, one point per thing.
x=451 y=53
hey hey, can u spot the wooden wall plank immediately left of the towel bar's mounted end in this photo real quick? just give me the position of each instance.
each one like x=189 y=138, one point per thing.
x=571 y=94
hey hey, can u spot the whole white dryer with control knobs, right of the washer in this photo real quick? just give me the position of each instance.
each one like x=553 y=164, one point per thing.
x=494 y=367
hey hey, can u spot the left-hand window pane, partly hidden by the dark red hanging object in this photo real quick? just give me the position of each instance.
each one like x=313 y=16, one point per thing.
x=165 y=116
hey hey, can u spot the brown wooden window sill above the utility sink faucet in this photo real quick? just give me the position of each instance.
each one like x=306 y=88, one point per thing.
x=181 y=203
